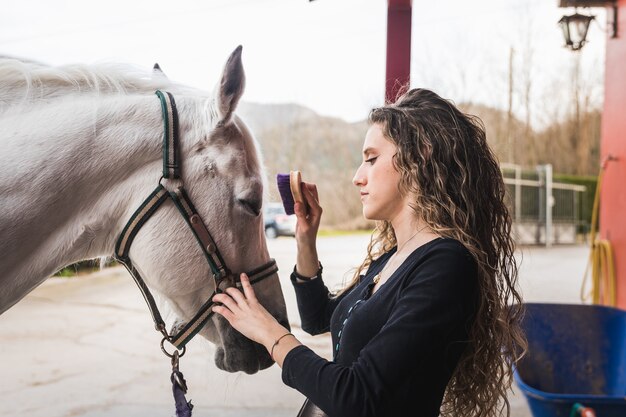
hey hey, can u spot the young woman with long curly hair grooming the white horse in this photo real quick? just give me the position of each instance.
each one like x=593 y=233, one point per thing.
x=424 y=327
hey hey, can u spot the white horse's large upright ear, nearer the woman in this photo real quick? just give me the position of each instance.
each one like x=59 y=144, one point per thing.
x=231 y=86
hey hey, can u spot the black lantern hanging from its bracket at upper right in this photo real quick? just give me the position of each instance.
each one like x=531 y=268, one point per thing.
x=575 y=26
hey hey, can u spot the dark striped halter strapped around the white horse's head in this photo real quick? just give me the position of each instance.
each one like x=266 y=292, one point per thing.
x=221 y=274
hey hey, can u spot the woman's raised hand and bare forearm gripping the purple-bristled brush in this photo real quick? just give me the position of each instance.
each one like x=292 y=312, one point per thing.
x=309 y=216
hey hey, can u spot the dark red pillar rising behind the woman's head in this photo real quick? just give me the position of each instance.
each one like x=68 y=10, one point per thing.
x=397 y=77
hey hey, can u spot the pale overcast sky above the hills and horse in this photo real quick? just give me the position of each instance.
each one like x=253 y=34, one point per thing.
x=328 y=54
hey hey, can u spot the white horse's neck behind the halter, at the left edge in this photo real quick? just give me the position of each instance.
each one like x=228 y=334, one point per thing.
x=69 y=182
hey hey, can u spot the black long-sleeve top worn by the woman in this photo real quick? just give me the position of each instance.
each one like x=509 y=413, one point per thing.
x=394 y=351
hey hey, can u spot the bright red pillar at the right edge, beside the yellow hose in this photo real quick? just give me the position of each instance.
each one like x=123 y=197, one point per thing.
x=613 y=193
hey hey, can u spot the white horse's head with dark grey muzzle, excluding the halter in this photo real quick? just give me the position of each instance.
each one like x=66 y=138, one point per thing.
x=223 y=175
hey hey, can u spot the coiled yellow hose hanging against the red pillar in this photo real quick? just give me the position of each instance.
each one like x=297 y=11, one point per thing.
x=603 y=280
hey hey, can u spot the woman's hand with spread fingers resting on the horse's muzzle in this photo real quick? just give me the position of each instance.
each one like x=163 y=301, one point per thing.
x=244 y=312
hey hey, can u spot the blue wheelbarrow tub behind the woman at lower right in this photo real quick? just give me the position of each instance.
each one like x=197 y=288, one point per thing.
x=576 y=354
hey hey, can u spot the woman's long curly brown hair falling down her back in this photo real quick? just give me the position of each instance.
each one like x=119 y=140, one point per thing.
x=444 y=159
